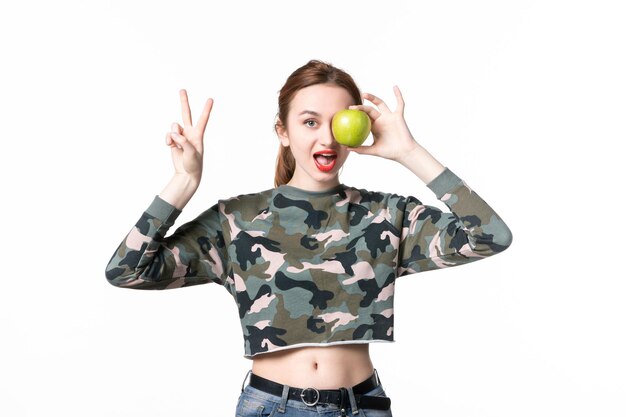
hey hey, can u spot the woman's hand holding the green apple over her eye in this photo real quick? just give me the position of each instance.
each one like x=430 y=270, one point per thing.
x=392 y=138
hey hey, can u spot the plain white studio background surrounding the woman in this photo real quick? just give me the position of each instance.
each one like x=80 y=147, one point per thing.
x=525 y=100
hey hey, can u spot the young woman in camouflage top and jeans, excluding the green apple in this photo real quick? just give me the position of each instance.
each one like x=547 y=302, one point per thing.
x=311 y=263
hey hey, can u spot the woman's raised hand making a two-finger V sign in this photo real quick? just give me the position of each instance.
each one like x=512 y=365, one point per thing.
x=186 y=142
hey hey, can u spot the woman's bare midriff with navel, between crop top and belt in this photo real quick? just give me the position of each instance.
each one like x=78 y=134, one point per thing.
x=328 y=367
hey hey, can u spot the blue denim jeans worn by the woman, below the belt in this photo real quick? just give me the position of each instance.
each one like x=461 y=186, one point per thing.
x=256 y=403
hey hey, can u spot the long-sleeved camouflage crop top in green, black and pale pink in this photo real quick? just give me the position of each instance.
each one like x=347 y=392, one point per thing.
x=310 y=268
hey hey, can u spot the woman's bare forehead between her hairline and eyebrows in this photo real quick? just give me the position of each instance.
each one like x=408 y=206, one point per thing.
x=321 y=98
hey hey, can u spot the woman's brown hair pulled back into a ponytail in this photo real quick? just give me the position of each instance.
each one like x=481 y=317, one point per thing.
x=313 y=72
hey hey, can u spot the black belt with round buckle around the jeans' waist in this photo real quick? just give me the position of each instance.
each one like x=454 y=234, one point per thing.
x=339 y=397
